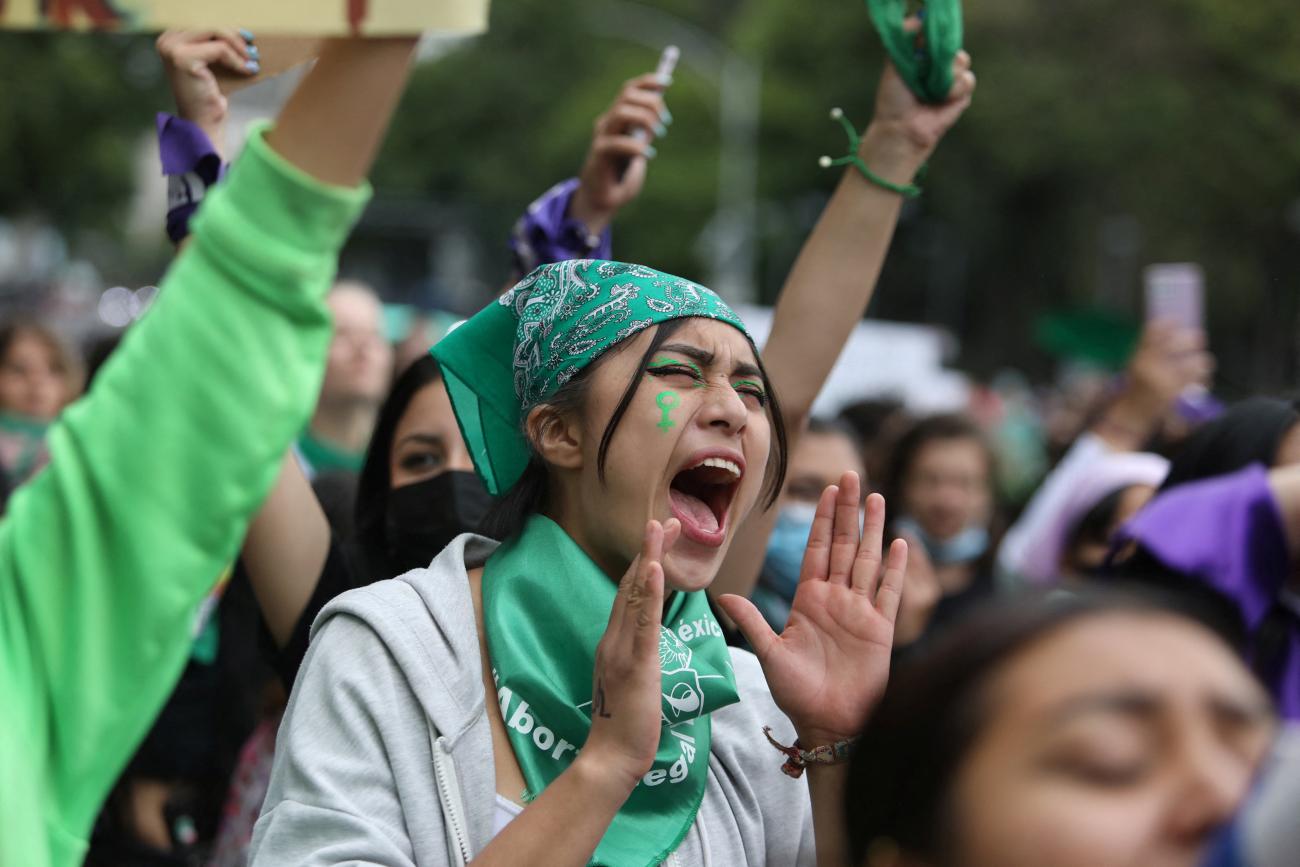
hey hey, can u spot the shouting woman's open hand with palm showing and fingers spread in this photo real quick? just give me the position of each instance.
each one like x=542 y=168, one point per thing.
x=830 y=666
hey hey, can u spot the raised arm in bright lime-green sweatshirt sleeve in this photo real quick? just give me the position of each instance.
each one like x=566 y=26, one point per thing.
x=153 y=479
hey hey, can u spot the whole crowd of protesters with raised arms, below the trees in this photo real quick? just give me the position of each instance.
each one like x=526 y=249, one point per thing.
x=553 y=593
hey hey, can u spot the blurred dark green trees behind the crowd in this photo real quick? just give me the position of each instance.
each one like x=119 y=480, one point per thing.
x=1106 y=136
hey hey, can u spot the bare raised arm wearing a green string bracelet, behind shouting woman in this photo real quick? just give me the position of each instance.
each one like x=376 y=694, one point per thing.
x=835 y=276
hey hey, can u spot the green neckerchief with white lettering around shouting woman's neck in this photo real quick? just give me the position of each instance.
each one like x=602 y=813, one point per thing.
x=547 y=606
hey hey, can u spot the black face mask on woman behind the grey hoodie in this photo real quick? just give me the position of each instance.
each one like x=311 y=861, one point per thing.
x=426 y=517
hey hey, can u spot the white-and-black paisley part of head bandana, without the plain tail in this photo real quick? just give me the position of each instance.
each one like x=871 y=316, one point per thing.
x=571 y=313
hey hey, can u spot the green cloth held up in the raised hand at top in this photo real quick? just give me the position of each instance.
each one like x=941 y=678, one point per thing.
x=930 y=72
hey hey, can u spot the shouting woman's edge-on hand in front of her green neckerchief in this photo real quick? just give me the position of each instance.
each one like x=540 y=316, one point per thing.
x=627 y=688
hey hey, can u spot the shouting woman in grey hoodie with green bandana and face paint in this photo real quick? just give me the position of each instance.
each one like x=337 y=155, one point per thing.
x=630 y=426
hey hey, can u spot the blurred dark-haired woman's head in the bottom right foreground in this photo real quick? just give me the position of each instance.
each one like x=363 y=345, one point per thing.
x=1099 y=730
